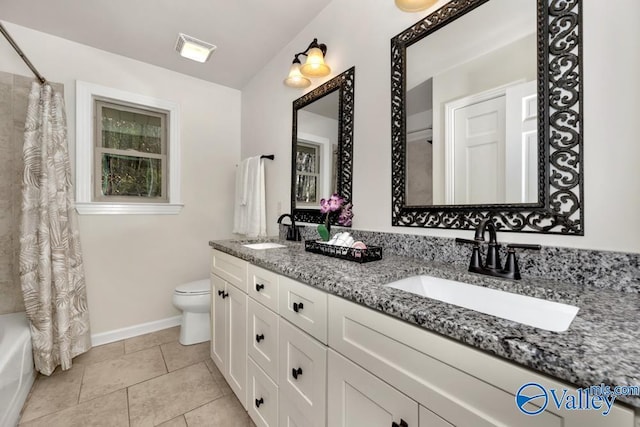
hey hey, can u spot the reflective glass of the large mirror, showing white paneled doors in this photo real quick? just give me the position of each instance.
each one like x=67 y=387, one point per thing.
x=471 y=109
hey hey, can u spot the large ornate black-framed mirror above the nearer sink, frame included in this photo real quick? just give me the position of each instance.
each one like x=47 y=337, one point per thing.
x=486 y=117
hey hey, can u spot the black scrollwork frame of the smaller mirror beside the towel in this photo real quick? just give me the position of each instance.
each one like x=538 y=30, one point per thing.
x=344 y=83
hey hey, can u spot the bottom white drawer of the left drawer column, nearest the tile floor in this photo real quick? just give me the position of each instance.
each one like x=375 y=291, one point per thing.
x=263 y=396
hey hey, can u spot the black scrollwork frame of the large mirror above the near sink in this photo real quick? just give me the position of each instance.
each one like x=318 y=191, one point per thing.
x=560 y=141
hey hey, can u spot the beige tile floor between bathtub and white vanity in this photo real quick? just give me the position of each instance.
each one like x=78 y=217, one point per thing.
x=150 y=380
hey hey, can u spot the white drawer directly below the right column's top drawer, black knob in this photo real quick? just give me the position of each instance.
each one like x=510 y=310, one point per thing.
x=303 y=372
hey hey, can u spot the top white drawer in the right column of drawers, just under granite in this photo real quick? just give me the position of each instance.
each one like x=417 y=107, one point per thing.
x=305 y=307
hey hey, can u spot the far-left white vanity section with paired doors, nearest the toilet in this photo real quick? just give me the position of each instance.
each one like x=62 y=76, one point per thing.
x=229 y=321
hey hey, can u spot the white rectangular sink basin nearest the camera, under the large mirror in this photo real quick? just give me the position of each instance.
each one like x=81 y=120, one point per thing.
x=536 y=312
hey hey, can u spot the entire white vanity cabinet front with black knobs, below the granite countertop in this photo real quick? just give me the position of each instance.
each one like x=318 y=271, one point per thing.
x=270 y=336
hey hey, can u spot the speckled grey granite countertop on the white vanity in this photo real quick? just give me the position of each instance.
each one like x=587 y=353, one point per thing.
x=602 y=345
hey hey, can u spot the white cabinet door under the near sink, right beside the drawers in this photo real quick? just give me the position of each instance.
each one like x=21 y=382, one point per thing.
x=357 y=398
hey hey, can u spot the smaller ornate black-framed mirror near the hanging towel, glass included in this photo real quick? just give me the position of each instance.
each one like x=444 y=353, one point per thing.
x=322 y=146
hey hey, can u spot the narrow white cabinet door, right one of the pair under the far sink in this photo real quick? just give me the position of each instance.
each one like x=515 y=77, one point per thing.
x=236 y=374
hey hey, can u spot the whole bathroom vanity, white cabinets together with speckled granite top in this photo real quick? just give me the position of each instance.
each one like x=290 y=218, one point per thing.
x=308 y=340
